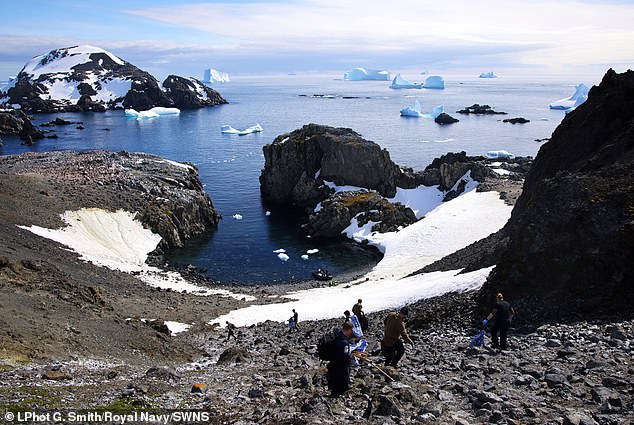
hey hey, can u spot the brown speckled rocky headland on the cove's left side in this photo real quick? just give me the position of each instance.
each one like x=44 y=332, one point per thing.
x=169 y=198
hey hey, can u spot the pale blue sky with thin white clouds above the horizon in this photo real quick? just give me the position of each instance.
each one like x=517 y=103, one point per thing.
x=297 y=36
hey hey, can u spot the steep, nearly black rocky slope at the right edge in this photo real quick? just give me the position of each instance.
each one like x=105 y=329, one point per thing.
x=571 y=248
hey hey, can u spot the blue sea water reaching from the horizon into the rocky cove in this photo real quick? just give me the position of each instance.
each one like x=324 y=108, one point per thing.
x=241 y=251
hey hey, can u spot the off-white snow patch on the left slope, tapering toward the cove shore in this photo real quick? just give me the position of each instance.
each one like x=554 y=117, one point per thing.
x=119 y=242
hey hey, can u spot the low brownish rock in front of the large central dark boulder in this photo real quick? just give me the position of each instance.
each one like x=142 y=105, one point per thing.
x=337 y=211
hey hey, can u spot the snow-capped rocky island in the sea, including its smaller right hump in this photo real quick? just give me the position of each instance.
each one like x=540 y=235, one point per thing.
x=87 y=78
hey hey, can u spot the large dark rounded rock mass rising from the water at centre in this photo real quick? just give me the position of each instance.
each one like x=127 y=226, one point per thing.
x=297 y=163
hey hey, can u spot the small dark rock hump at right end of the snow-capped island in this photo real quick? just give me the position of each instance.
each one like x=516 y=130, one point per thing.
x=189 y=93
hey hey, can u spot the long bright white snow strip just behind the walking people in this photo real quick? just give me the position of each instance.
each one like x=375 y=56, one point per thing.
x=328 y=302
